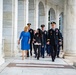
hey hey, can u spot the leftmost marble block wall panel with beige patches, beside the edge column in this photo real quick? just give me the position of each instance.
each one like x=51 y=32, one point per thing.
x=7 y=25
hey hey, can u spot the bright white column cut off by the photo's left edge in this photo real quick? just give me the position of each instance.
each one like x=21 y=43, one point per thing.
x=1 y=25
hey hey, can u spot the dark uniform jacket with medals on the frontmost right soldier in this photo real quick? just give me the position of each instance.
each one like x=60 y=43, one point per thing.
x=54 y=36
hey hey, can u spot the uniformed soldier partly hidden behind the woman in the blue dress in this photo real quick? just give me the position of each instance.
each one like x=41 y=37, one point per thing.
x=31 y=41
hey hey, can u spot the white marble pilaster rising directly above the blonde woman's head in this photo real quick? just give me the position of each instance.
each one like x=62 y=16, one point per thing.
x=26 y=10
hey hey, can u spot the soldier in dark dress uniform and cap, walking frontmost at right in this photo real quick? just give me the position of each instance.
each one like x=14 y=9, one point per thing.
x=54 y=36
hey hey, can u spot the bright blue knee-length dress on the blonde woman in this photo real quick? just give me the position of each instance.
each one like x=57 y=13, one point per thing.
x=25 y=36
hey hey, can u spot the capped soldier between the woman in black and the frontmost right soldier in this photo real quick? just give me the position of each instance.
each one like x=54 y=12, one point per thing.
x=44 y=40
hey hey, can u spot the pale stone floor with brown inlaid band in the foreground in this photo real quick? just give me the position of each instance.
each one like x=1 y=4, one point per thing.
x=32 y=66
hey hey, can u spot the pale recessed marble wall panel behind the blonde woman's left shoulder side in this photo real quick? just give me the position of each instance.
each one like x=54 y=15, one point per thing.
x=20 y=16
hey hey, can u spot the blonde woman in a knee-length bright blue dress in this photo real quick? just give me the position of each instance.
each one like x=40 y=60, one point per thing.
x=25 y=41
